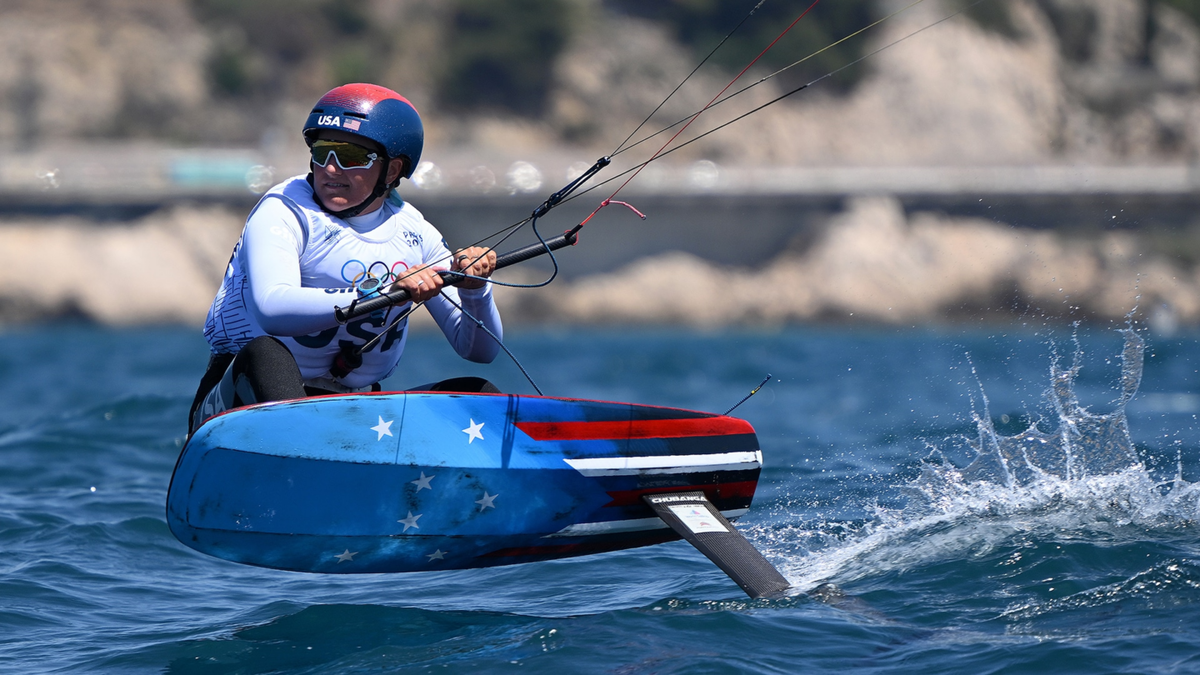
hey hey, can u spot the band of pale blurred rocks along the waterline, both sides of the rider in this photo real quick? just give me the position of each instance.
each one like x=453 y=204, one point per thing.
x=873 y=264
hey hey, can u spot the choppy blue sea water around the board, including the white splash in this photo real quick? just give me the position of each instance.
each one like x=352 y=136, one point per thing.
x=988 y=500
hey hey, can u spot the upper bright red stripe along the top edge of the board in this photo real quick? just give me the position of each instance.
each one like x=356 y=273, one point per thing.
x=635 y=429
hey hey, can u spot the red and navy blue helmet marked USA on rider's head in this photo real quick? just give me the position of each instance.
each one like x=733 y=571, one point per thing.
x=374 y=112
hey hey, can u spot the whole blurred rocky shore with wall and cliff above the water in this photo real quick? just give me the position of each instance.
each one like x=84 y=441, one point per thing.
x=1025 y=158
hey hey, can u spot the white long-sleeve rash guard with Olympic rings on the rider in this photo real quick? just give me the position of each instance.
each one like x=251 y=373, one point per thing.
x=289 y=280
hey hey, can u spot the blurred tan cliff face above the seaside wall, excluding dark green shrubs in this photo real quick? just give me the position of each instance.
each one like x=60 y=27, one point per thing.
x=1077 y=81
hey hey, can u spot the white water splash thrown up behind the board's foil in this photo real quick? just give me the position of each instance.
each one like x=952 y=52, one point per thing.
x=1085 y=479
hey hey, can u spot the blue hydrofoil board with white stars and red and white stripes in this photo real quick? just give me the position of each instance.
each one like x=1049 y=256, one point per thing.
x=405 y=482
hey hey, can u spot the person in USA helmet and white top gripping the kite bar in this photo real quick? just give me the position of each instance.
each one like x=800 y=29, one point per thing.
x=321 y=241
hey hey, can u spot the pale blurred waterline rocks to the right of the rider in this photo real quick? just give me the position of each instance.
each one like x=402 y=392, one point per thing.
x=875 y=265
